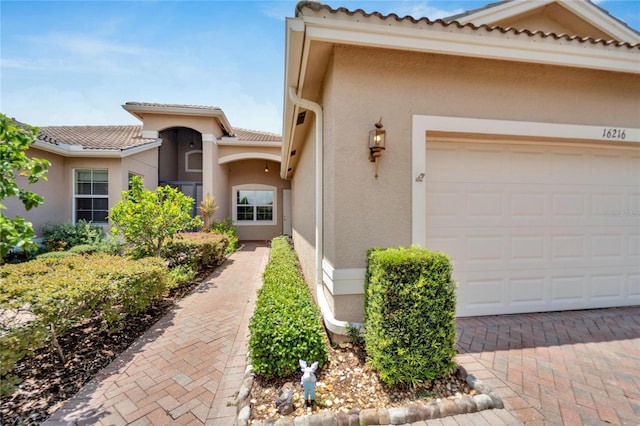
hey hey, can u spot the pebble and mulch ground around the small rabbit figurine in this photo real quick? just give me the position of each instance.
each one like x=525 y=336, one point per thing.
x=346 y=382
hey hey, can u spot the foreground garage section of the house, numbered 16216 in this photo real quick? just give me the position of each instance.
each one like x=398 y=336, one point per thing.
x=512 y=144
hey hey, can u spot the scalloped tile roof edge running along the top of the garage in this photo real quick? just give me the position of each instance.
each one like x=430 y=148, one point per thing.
x=446 y=23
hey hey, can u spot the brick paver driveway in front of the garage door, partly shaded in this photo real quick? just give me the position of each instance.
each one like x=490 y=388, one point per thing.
x=572 y=368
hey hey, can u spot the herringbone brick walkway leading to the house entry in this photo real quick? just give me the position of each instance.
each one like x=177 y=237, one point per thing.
x=188 y=366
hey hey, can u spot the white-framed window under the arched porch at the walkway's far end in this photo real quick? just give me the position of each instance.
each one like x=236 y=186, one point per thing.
x=254 y=205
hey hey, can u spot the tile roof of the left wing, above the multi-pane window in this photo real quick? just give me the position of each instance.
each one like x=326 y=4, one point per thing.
x=95 y=137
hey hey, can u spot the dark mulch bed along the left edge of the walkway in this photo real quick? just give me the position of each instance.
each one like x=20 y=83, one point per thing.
x=46 y=383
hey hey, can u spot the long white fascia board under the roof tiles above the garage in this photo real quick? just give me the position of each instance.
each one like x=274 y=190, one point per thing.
x=479 y=44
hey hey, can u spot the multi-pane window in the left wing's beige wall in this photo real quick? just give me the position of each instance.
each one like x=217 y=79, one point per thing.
x=91 y=195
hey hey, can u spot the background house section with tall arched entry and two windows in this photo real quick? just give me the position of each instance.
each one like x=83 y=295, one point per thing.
x=193 y=148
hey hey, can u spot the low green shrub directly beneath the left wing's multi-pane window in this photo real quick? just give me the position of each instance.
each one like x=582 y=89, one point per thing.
x=63 y=236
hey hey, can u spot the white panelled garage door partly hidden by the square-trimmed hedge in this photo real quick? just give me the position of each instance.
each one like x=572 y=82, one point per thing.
x=536 y=228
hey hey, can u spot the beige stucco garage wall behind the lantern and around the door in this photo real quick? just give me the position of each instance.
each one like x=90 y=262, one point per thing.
x=362 y=212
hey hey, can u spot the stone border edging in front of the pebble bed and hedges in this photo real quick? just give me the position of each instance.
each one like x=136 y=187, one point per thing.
x=435 y=409
